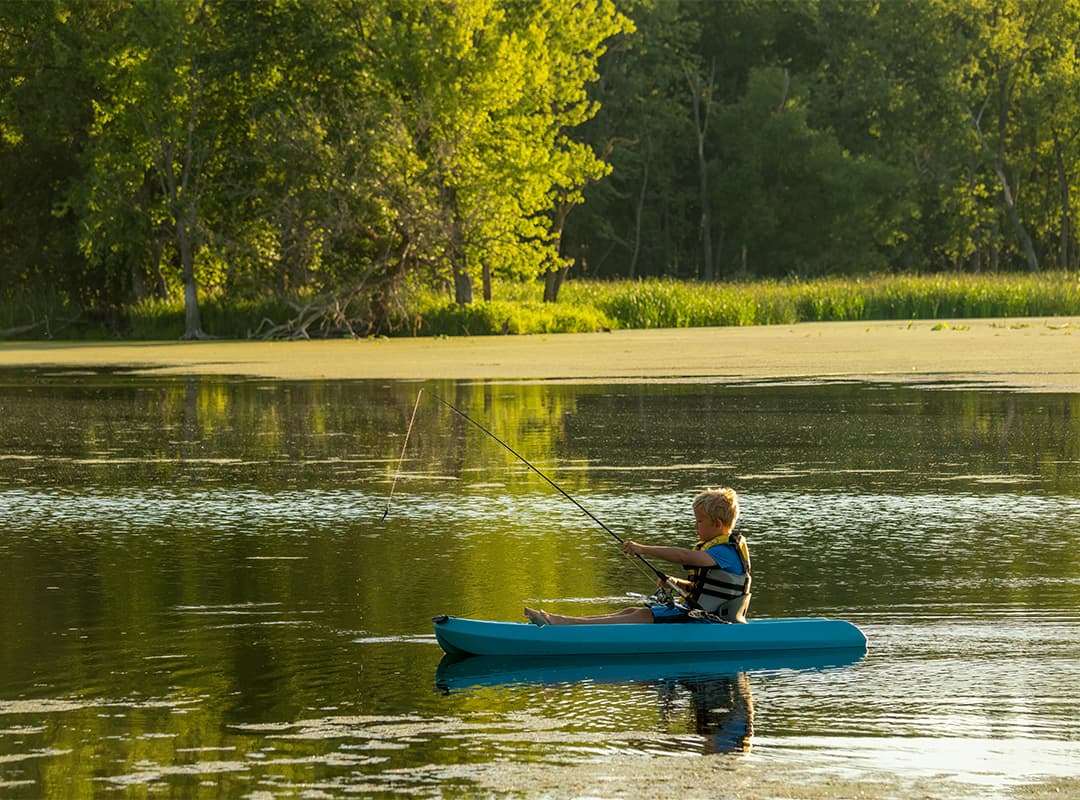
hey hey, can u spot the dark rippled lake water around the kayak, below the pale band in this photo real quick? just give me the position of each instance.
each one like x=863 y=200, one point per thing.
x=200 y=598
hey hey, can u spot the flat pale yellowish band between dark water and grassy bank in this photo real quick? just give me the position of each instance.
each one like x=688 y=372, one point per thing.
x=1025 y=355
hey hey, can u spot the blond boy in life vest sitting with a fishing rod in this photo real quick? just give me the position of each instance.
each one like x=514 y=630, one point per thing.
x=719 y=589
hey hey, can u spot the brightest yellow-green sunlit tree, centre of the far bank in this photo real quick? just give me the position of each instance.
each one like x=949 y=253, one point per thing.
x=480 y=94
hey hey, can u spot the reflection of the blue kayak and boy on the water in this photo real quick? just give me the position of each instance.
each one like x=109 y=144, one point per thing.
x=717 y=690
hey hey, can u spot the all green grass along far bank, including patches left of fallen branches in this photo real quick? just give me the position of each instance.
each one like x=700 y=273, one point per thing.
x=589 y=306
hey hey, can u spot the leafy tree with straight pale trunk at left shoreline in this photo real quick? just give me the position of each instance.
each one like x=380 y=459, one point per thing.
x=154 y=141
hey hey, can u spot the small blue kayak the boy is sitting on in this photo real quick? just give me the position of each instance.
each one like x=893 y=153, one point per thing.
x=460 y=636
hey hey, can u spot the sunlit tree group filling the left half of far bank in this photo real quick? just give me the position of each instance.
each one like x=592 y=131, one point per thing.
x=271 y=148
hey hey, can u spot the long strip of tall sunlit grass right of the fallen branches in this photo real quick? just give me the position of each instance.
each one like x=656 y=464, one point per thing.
x=596 y=306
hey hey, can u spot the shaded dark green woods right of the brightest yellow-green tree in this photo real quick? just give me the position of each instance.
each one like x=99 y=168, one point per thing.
x=844 y=138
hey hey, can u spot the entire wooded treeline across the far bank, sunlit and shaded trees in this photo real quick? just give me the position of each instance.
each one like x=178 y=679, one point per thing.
x=331 y=152
